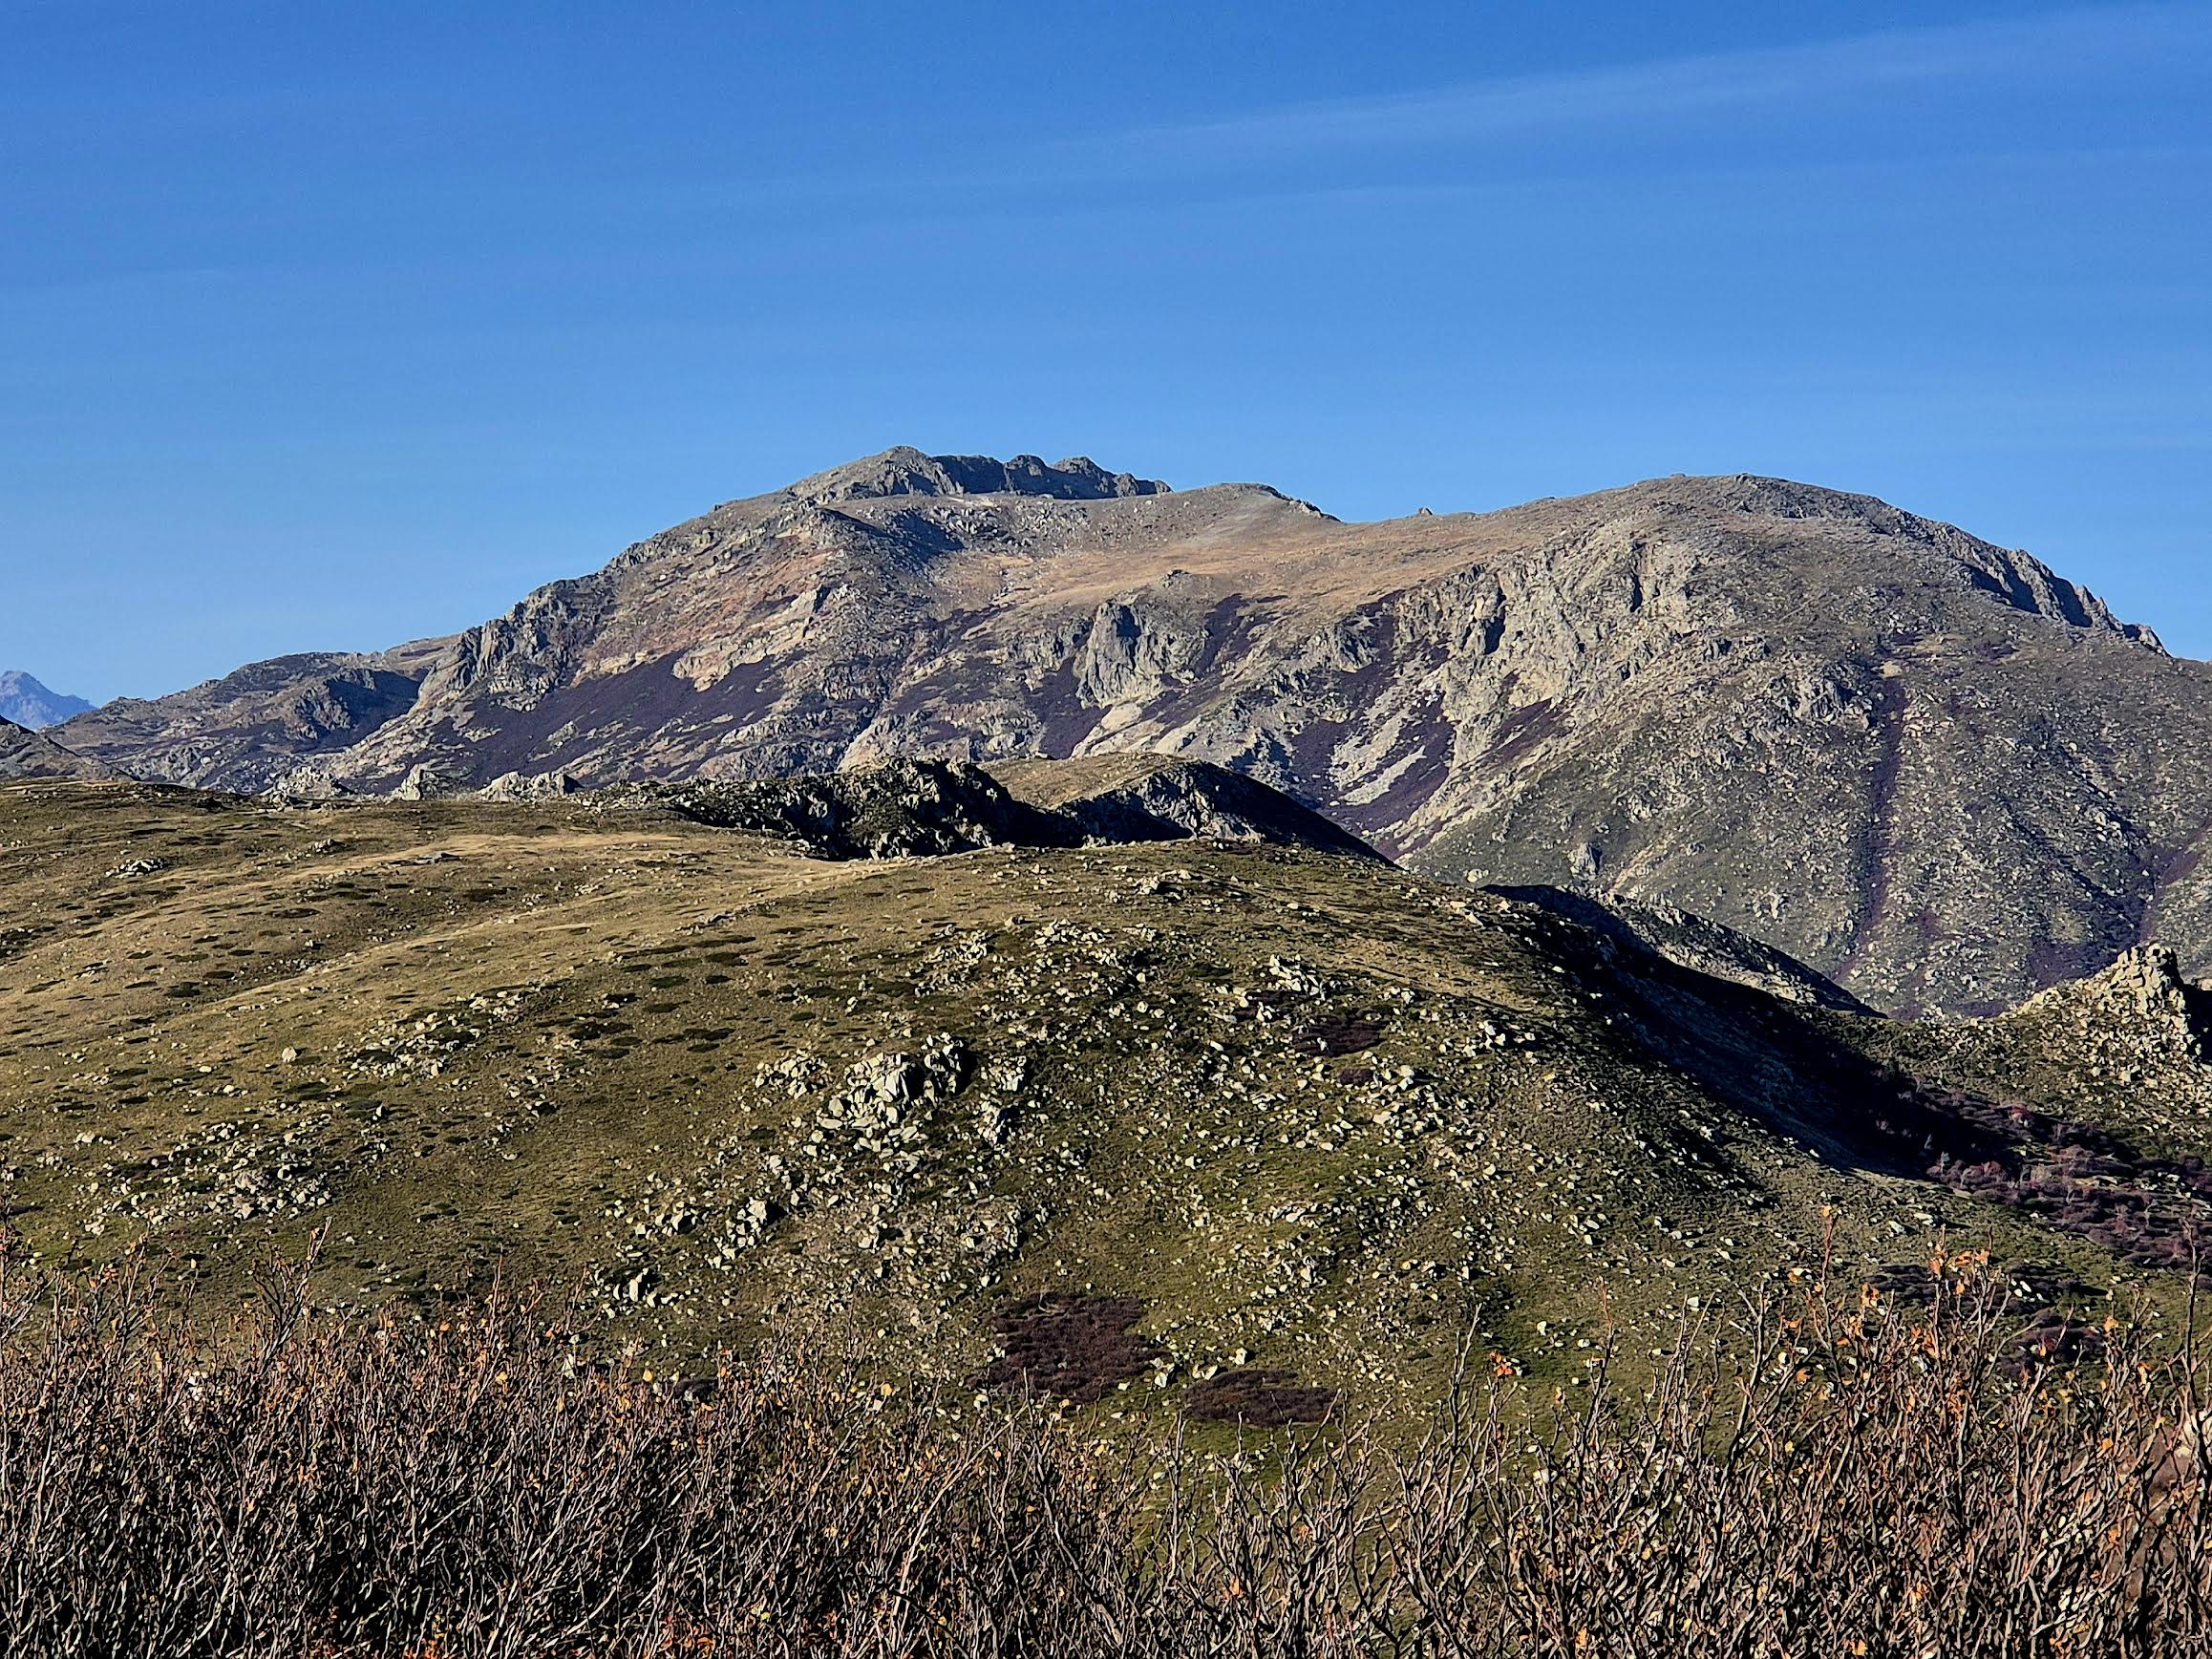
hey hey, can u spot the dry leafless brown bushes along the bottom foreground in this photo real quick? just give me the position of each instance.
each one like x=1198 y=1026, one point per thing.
x=1835 y=1479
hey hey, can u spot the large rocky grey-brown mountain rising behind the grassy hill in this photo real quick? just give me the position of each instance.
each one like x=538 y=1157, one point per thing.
x=1921 y=764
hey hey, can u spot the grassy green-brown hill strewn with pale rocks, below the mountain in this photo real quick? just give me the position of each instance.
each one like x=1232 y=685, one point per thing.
x=1151 y=1120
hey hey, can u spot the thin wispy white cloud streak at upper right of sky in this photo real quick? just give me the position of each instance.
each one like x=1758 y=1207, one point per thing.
x=2052 y=48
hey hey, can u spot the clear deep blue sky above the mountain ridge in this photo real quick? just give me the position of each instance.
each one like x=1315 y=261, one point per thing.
x=328 y=326
